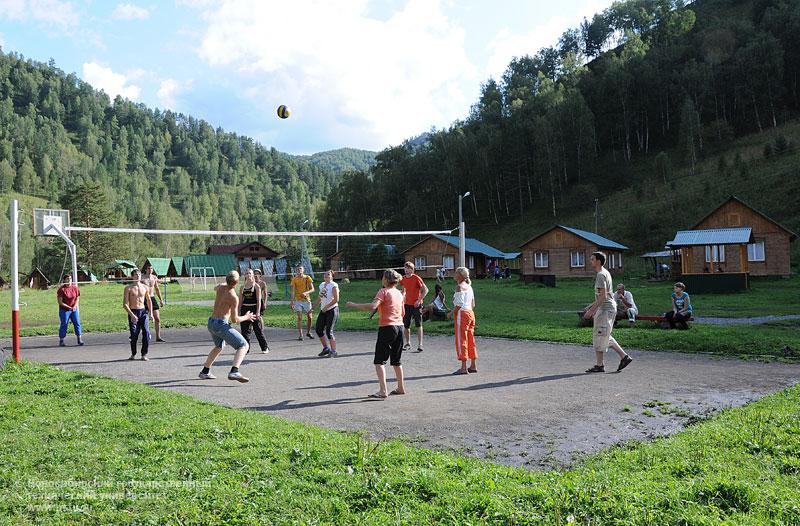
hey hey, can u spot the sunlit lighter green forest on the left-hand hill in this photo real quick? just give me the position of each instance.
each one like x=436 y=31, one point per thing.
x=59 y=137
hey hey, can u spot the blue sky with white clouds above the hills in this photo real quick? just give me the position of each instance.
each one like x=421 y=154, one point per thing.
x=356 y=73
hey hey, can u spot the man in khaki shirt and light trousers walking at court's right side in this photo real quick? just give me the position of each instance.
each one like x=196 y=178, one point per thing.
x=604 y=312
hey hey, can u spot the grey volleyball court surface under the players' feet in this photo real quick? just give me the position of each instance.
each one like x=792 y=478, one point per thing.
x=530 y=404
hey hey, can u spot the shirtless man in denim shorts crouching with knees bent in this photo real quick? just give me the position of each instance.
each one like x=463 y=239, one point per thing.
x=226 y=312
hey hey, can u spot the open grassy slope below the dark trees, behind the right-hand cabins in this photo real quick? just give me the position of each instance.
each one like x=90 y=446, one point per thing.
x=645 y=212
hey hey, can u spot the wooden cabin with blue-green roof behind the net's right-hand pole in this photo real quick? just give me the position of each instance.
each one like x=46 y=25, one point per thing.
x=437 y=251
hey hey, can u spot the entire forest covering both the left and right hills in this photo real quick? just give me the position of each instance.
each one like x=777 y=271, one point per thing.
x=638 y=92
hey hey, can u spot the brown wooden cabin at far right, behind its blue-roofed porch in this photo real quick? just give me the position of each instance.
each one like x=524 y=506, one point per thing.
x=768 y=254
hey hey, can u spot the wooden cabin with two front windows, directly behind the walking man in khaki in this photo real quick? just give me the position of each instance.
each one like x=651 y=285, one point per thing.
x=563 y=252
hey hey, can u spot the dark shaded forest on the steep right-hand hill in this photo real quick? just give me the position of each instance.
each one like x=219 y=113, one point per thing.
x=661 y=82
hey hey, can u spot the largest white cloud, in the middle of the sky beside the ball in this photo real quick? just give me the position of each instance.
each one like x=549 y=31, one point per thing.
x=367 y=81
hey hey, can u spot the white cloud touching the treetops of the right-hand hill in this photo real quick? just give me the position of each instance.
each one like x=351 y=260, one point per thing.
x=507 y=45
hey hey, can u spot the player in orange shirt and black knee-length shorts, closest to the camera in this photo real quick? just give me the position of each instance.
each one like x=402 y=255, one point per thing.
x=389 y=302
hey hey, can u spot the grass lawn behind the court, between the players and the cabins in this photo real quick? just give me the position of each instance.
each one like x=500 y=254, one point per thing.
x=506 y=309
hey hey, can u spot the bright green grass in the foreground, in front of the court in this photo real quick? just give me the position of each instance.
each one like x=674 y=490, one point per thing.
x=83 y=449
